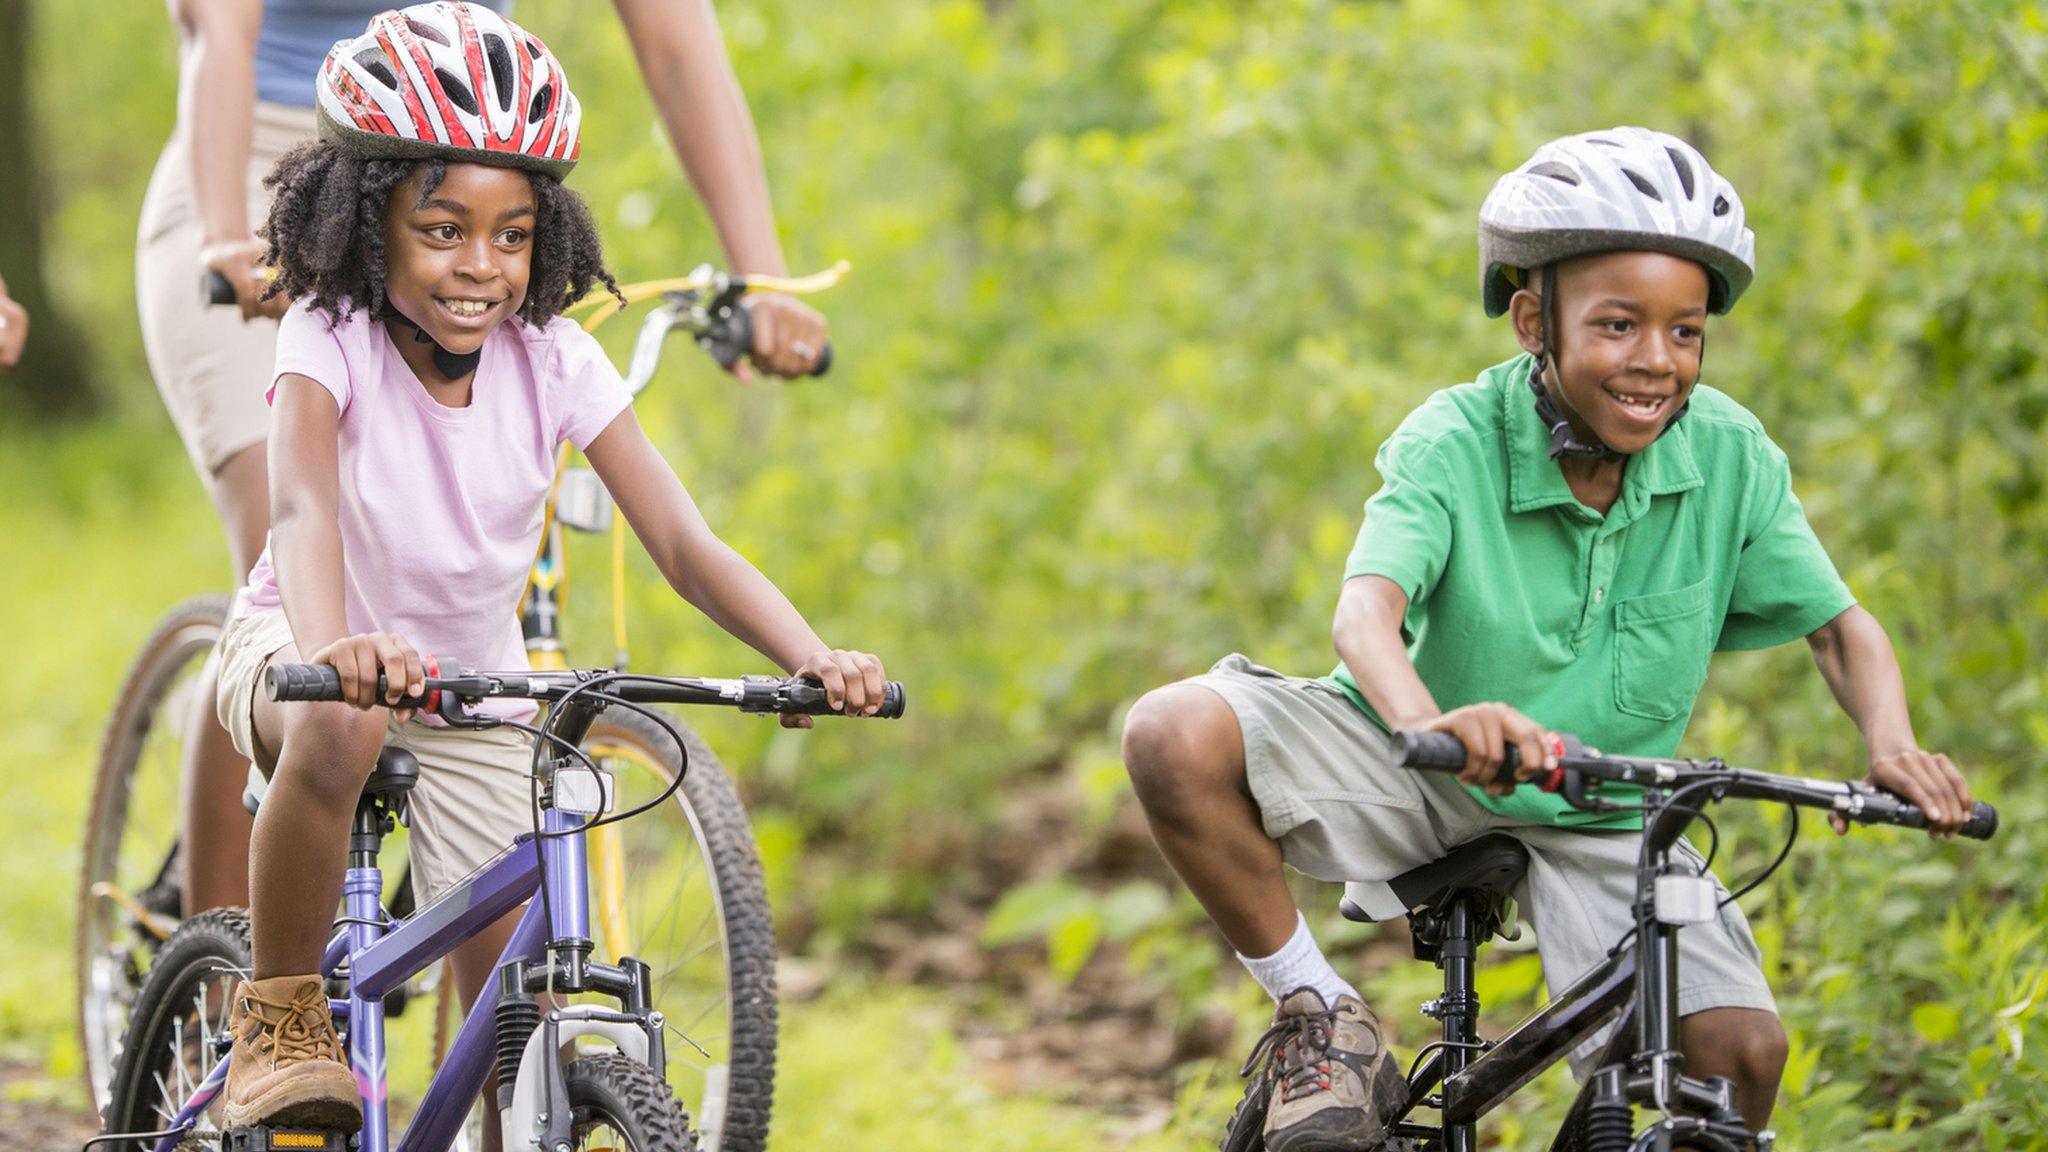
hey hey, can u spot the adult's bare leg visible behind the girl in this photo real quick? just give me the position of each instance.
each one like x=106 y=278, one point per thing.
x=214 y=829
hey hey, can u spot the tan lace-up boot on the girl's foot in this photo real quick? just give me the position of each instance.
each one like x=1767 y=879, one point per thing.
x=288 y=1069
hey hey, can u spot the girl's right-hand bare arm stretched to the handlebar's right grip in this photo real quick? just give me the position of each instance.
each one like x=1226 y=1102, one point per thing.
x=716 y=579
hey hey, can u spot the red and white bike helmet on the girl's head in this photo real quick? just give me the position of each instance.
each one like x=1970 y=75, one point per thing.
x=450 y=81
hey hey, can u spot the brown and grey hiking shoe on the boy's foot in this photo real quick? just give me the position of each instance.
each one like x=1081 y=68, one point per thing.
x=1334 y=1083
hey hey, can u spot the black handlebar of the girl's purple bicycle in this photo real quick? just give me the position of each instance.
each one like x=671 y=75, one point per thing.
x=785 y=696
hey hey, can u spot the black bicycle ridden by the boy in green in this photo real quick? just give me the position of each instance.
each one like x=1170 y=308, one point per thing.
x=1459 y=903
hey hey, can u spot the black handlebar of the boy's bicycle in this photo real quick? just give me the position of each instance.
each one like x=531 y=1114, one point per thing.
x=1852 y=800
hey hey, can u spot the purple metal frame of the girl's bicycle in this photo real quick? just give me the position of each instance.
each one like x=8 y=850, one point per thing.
x=378 y=958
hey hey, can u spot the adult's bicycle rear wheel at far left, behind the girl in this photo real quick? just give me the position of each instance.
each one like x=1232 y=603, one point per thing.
x=103 y=981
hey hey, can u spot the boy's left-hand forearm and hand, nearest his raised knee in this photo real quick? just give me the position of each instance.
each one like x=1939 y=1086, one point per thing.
x=1369 y=643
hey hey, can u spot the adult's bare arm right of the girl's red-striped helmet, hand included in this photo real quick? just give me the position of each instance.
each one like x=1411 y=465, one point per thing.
x=691 y=79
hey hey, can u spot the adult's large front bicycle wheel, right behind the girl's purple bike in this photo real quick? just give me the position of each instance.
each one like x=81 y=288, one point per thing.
x=736 y=1118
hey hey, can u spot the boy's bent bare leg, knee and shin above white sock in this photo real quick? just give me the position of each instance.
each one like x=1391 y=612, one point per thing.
x=1187 y=759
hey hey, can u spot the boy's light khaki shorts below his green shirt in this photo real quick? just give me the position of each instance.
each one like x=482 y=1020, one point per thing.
x=1332 y=796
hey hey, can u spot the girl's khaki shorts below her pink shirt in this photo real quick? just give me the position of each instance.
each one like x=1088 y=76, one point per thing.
x=476 y=788
